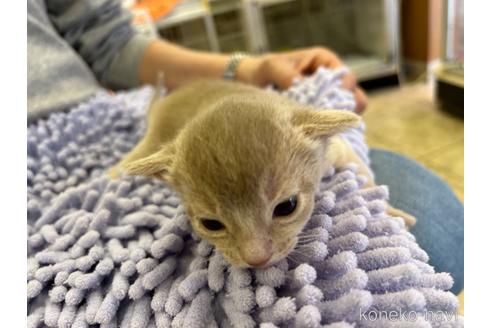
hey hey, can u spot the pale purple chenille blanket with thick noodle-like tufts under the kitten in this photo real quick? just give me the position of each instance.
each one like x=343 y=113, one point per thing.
x=122 y=254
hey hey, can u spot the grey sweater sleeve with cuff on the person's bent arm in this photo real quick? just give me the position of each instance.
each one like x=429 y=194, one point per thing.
x=100 y=31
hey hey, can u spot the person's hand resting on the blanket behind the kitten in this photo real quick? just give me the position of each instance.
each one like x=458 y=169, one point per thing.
x=282 y=68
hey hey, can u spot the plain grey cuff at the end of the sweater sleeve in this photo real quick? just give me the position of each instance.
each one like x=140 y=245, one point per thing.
x=123 y=72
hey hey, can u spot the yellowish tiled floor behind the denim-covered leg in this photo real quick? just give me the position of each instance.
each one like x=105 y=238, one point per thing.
x=407 y=121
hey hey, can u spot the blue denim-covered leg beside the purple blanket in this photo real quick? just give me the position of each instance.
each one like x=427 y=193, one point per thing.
x=416 y=190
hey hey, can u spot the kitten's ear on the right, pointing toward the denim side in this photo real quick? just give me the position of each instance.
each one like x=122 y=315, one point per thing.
x=324 y=123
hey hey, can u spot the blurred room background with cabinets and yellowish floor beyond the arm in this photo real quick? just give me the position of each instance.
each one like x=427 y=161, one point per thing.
x=407 y=54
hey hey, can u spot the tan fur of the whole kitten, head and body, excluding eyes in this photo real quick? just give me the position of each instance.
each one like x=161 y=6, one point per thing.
x=233 y=152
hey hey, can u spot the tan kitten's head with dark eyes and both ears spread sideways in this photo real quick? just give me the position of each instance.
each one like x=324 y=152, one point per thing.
x=247 y=172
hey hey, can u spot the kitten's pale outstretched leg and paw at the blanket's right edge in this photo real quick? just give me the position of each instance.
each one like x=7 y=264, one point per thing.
x=341 y=153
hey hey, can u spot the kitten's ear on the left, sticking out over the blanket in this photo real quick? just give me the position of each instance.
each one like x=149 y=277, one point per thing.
x=157 y=165
